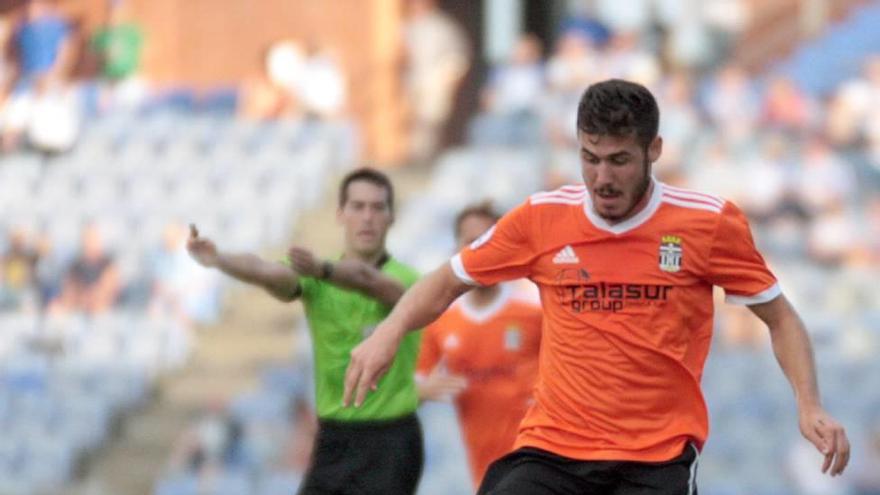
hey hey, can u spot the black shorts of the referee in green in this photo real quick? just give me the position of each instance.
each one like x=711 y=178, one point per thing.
x=366 y=458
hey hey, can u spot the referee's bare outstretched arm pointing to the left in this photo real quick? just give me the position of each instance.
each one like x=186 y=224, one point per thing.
x=278 y=280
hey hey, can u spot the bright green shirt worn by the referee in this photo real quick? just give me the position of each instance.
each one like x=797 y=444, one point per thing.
x=340 y=319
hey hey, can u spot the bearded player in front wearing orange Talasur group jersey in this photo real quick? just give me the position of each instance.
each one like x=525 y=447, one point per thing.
x=625 y=266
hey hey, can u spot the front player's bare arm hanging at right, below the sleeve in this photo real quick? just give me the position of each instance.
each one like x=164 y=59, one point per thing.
x=793 y=350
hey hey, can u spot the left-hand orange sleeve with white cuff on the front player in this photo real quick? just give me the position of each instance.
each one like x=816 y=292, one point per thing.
x=503 y=253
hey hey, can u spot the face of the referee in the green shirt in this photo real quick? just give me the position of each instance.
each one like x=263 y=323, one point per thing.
x=366 y=217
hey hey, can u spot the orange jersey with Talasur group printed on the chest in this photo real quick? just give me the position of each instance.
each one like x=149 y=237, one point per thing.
x=627 y=314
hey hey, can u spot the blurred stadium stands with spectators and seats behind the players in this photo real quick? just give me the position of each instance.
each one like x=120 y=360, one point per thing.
x=122 y=121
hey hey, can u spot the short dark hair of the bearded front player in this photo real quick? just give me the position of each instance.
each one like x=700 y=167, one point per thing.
x=619 y=108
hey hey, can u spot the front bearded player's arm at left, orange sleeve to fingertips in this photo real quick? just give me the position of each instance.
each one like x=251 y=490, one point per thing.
x=503 y=253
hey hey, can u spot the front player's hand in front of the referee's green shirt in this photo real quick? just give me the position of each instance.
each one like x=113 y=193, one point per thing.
x=370 y=360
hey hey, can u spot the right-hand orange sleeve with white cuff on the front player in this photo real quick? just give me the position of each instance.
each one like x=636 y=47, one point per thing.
x=735 y=263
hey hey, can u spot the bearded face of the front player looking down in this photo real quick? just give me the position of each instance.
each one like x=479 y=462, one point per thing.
x=617 y=172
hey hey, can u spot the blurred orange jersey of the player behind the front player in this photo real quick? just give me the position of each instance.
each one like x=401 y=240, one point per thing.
x=496 y=349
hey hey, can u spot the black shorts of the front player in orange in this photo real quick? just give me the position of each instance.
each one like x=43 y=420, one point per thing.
x=531 y=471
